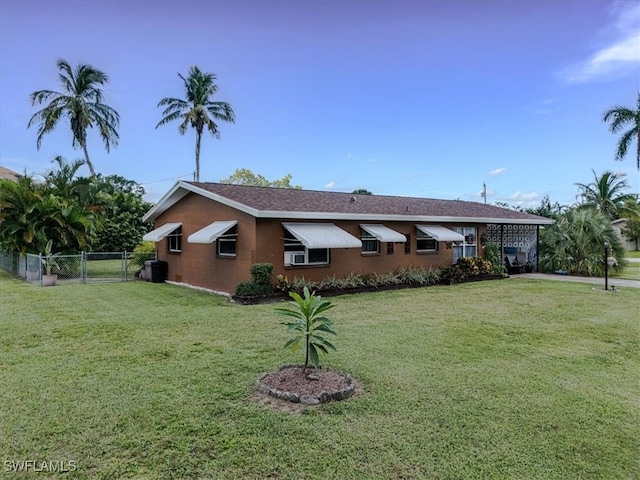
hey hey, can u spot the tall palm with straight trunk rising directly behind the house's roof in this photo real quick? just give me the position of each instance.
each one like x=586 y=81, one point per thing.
x=198 y=110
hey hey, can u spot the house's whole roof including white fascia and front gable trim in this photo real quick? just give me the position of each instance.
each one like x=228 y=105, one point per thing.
x=267 y=202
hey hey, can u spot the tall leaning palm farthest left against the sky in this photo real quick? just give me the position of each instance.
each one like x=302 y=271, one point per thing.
x=82 y=103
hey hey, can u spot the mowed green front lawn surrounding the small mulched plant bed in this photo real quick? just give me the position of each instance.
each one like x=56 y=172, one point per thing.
x=511 y=379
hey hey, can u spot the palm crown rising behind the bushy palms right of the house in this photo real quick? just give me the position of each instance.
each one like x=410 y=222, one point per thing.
x=605 y=194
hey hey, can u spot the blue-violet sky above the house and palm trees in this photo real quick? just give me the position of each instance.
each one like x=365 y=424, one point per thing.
x=419 y=98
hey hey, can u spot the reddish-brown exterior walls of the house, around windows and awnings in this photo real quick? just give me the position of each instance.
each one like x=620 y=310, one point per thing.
x=198 y=264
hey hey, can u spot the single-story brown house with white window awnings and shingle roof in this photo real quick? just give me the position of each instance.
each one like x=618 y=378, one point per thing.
x=210 y=234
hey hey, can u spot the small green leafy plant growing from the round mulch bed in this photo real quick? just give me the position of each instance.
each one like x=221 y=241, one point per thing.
x=308 y=326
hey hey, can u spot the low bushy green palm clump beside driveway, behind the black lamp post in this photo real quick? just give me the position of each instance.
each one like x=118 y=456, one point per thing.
x=575 y=243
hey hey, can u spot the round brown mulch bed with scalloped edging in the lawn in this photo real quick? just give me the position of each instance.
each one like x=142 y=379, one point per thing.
x=319 y=385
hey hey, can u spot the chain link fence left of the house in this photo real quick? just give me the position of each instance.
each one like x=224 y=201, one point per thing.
x=87 y=267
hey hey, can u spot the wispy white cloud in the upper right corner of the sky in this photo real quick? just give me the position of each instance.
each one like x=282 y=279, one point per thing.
x=619 y=56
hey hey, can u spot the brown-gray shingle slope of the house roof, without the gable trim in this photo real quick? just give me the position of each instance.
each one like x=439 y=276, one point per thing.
x=312 y=201
